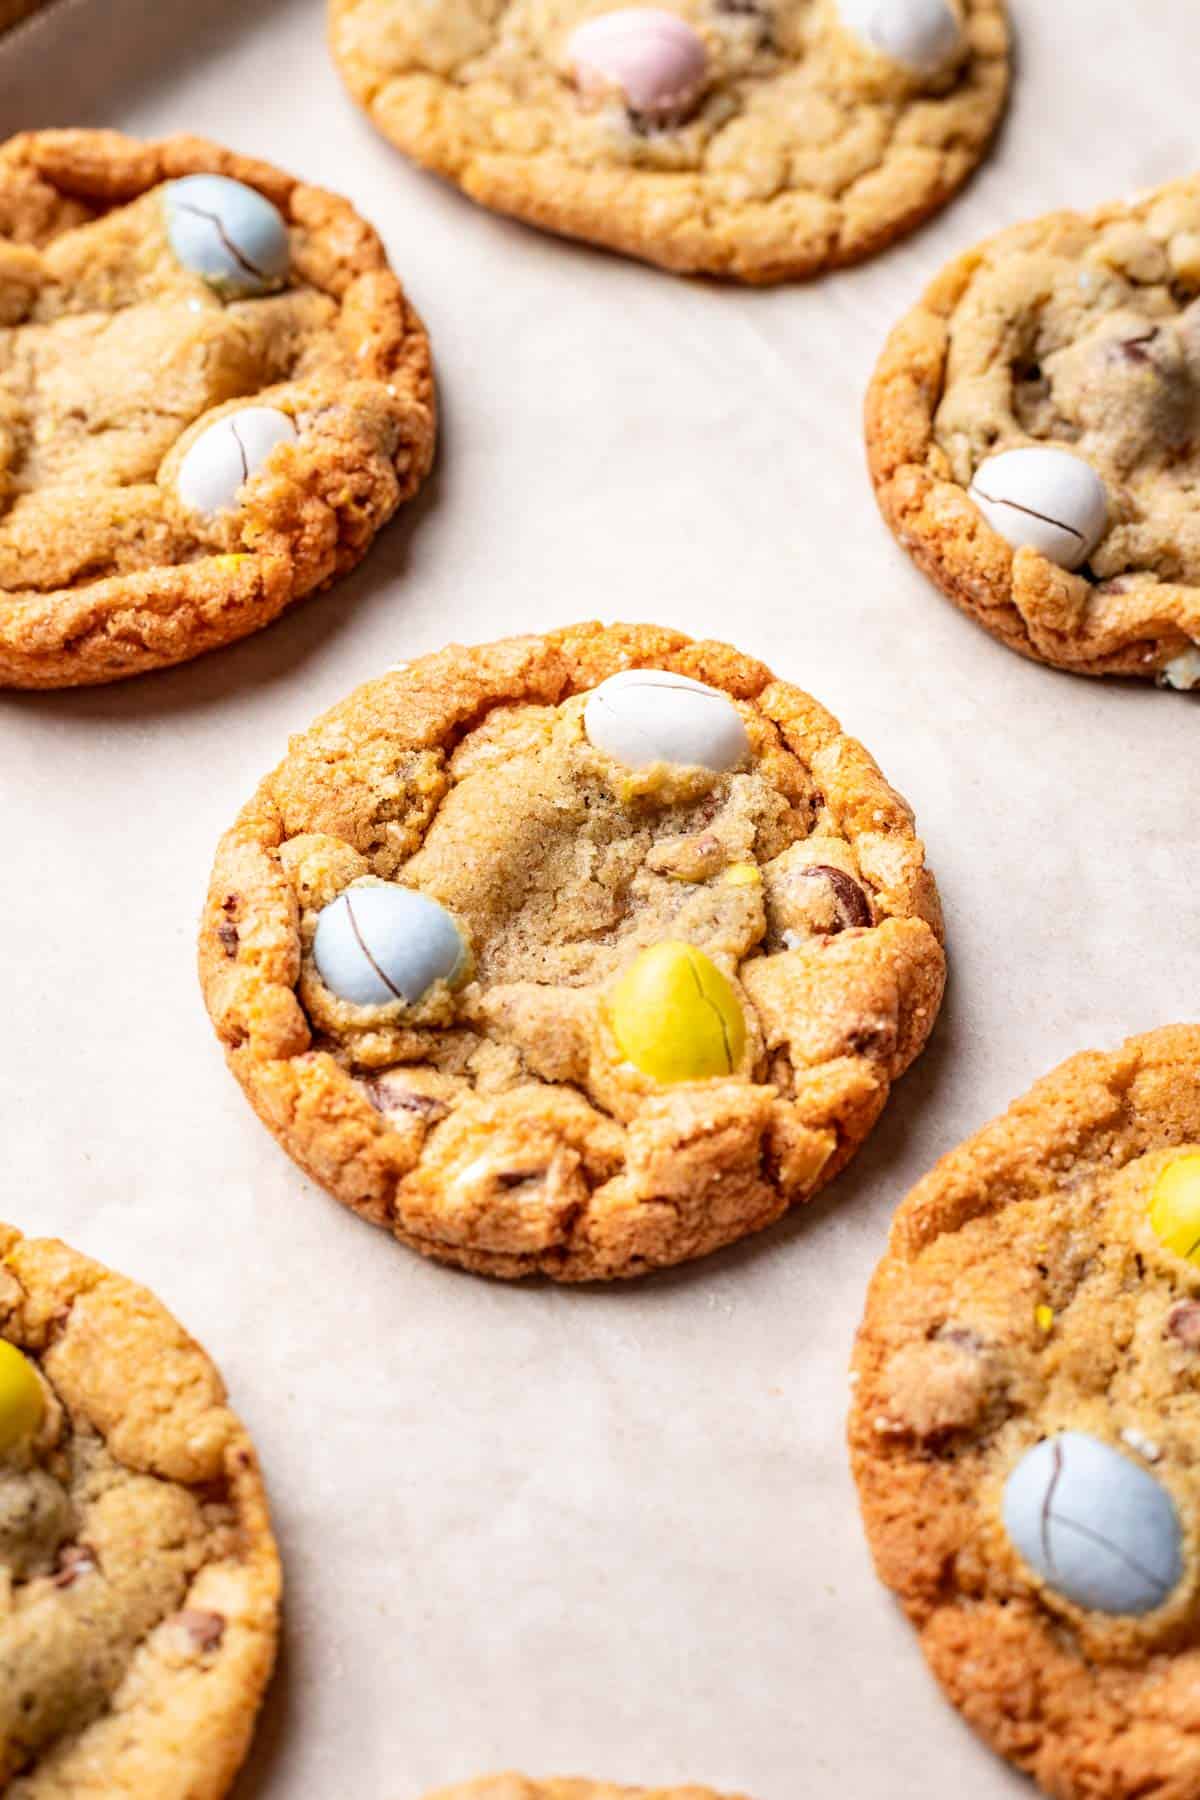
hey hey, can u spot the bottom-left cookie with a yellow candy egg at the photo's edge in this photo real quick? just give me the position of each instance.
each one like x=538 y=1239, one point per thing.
x=139 y=1583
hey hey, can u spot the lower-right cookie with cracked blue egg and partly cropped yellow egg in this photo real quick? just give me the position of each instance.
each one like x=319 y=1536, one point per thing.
x=1026 y=1421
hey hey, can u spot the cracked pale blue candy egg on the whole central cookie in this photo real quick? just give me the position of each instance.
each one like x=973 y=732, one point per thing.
x=375 y=946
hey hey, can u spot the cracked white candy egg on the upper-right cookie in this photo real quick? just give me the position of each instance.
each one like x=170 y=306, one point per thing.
x=1046 y=499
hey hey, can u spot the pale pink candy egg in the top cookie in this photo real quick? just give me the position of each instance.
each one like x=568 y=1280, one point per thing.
x=652 y=58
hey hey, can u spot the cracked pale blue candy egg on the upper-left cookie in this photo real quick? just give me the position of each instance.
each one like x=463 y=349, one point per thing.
x=228 y=233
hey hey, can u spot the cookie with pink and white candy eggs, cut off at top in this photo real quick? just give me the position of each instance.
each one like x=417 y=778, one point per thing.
x=758 y=139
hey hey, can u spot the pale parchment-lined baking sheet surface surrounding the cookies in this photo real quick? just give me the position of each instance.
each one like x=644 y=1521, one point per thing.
x=611 y=1531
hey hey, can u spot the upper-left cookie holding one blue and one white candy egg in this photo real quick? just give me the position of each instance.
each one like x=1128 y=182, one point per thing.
x=213 y=395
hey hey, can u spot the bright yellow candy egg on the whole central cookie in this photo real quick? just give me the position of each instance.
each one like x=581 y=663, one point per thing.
x=676 y=1016
